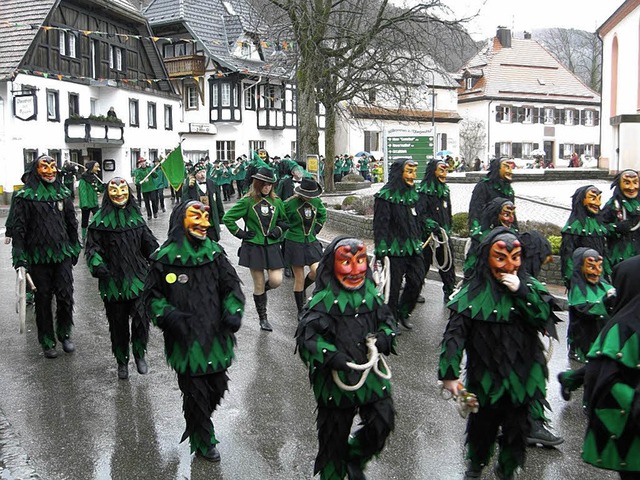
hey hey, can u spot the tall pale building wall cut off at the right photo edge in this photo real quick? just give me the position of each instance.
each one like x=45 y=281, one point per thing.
x=620 y=129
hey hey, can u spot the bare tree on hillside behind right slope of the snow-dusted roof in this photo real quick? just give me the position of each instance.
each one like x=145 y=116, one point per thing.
x=578 y=50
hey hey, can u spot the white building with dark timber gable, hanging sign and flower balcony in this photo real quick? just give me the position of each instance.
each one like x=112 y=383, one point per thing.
x=63 y=64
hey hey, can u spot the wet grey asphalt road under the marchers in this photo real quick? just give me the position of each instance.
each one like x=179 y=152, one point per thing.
x=71 y=418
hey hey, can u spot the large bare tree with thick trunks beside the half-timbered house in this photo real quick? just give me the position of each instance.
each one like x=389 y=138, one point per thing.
x=346 y=47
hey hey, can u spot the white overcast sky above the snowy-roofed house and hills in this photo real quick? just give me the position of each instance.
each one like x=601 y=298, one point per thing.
x=528 y=15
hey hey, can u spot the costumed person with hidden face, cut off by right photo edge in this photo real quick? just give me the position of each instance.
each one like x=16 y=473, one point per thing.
x=612 y=382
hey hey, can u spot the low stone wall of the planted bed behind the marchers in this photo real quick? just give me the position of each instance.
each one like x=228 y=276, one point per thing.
x=362 y=227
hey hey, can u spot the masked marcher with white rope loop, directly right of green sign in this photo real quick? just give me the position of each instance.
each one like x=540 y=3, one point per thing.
x=434 y=212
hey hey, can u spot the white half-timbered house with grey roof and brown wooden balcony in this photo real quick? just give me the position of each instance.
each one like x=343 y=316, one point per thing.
x=237 y=89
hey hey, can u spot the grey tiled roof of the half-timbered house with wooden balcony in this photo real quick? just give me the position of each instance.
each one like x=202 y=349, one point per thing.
x=216 y=28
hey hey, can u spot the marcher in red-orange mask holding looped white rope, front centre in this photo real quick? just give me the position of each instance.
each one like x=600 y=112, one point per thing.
x=345 y=313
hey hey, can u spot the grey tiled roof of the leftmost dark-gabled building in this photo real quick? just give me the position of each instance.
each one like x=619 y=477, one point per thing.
x=20 y=22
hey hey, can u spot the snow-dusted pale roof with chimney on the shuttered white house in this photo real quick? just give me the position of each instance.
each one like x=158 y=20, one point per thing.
x=525 y=71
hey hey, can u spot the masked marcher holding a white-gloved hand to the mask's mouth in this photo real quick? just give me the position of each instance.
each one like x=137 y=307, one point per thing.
x=496 y=317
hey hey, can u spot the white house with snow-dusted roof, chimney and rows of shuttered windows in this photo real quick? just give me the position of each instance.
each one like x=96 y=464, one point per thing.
x=528 y=100
